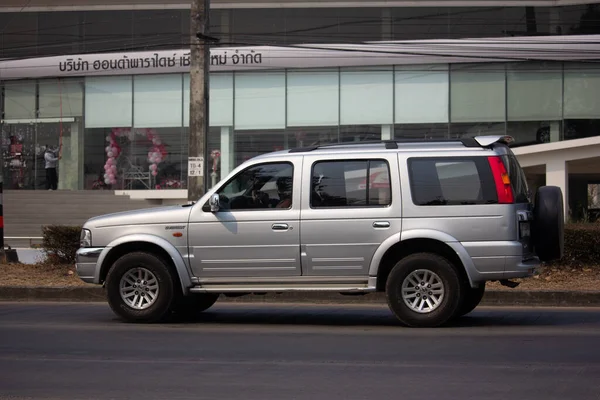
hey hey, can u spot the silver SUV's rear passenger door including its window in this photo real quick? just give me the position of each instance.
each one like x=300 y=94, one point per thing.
x=349 y=207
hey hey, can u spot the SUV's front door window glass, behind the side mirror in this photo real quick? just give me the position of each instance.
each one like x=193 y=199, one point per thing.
x=263 y=186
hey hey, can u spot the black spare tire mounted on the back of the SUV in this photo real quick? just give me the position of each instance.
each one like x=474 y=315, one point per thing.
x=548 y=223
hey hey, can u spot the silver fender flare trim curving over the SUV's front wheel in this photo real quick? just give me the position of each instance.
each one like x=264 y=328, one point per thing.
x=182 y=270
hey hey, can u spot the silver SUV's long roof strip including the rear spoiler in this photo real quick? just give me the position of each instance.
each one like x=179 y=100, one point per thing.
x=461 y=144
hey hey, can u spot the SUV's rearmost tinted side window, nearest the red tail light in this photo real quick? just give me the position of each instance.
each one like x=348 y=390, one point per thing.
x=451 y=181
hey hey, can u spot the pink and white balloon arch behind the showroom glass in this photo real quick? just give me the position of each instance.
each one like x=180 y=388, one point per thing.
x=156 y=155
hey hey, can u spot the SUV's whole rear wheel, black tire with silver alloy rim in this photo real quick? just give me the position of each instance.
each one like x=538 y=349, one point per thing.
x=424 y=290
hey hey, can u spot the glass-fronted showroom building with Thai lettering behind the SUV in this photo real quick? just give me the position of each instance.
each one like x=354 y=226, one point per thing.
x=111 y=87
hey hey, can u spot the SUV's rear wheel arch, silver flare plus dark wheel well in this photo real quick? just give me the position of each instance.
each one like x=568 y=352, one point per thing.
x=417 y=242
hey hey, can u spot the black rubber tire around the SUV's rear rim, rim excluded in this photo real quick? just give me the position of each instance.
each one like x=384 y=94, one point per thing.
x=452 y=285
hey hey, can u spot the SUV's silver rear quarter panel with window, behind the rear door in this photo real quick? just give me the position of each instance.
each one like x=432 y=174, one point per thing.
x=456 y=194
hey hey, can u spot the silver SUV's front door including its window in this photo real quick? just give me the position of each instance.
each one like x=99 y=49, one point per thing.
x=256 y=233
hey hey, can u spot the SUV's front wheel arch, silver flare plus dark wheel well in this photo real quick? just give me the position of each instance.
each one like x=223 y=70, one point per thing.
x=150 y=244
